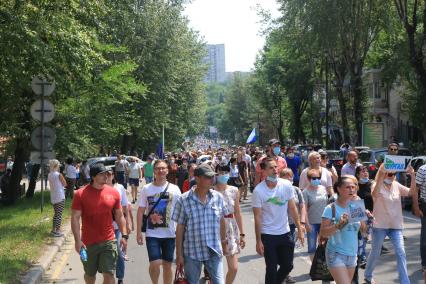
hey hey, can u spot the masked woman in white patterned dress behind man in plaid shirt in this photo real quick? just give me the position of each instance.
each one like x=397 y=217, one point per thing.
x=235 y=236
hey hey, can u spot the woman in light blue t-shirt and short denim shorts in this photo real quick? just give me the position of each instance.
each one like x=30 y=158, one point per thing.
x=342 y=245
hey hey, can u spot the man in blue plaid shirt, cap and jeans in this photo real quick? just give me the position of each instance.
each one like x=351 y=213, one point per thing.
x=200 y=233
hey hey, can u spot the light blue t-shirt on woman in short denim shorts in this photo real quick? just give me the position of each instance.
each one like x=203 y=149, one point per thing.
x=344 y=241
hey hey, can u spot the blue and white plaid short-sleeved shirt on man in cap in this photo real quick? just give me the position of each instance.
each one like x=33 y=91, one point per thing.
x=202 y=223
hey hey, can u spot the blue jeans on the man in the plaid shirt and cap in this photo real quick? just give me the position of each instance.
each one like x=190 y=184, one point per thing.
x=214 y=267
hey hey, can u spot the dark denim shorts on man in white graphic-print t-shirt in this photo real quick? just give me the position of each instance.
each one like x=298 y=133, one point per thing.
x=160 y=248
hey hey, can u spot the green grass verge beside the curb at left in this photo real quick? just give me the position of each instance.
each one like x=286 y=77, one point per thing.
x=24 y=230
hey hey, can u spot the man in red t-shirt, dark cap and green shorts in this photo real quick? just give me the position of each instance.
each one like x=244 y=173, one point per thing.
x=96 y=204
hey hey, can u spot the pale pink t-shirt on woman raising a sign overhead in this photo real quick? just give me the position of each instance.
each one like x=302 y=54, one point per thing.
x=387 y=206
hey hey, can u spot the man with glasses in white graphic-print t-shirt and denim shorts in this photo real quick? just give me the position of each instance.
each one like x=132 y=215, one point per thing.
x=160 y=229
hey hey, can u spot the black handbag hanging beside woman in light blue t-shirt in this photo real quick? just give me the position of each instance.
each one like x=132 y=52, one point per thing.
x=319 y=269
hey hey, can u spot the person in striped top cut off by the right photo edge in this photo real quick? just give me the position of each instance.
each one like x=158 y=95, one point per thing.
x=420 y=211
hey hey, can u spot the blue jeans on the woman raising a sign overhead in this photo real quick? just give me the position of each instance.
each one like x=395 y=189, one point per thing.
x=379 y=236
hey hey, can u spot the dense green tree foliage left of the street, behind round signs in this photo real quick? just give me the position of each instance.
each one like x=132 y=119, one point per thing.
x=122 y=70
